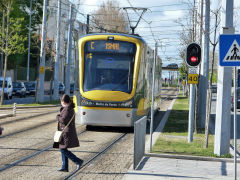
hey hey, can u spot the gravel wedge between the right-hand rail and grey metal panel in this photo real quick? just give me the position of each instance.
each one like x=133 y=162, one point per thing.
x=113 y=164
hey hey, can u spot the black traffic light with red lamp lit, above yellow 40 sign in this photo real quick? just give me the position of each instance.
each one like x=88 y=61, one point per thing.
x=193 y=57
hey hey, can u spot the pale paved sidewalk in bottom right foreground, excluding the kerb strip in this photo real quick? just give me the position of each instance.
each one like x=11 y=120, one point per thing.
x=168 y=168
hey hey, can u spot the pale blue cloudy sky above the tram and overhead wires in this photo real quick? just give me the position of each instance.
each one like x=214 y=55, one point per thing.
x=163 y=16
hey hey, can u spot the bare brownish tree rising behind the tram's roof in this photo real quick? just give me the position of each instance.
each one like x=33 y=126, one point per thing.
x=109 y=18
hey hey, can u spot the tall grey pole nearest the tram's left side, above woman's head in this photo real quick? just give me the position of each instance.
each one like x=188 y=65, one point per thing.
x=69 y=50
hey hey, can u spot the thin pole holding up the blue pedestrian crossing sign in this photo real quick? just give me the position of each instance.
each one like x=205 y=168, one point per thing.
x=235 y=122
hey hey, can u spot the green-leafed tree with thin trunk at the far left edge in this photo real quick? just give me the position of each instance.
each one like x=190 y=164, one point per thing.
x=12 y=39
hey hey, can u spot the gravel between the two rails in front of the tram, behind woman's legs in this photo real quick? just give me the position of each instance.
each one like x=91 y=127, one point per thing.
x=45 y=165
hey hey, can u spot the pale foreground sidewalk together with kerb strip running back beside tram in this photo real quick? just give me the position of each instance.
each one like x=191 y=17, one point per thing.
x=173 y=167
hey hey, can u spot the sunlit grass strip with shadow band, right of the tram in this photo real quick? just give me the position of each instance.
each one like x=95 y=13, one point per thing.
x=174 y=138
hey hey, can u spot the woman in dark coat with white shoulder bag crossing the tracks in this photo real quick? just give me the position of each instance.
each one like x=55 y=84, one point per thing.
x=69 y=139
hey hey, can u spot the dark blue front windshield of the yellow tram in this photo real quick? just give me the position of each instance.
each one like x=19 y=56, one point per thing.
x=109 y=72
